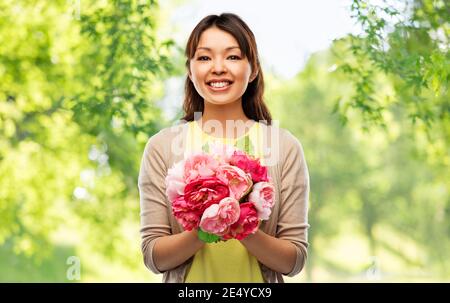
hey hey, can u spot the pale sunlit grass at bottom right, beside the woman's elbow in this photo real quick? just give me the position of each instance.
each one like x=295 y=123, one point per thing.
x=347 y=258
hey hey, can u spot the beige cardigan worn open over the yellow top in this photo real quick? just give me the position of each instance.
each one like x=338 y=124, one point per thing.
x=286 y=165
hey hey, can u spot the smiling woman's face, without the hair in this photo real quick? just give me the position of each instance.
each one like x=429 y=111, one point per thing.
x=218 y=70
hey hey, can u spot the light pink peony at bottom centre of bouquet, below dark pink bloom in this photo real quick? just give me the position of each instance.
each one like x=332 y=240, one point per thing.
x=218 y=217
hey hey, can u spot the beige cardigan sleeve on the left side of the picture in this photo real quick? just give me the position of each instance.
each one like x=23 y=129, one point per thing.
x=153 y=206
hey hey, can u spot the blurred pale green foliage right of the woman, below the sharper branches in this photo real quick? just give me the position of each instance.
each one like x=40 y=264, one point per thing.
x=364 y=180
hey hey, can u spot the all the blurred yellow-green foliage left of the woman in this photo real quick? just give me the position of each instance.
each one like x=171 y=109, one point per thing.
x=77 y=92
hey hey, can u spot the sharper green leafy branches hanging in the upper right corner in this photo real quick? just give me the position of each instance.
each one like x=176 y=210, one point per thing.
x=399 y=66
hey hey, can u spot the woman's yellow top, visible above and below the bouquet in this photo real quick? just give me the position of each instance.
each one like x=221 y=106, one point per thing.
x=224 y=261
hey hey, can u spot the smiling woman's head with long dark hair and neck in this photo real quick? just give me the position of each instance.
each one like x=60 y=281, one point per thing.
x=224 y=72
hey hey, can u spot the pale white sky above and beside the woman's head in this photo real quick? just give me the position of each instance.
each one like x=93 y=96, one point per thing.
x=286 y=31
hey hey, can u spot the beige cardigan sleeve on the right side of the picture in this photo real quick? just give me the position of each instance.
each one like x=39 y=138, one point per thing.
x=293 y=217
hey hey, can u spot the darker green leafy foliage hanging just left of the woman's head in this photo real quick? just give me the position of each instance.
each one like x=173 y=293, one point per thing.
x=120 y=66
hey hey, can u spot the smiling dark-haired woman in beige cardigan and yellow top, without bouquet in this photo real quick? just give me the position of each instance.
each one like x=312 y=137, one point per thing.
x=224 y=102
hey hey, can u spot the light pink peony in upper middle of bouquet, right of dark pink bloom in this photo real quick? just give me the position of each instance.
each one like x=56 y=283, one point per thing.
x=237 y=180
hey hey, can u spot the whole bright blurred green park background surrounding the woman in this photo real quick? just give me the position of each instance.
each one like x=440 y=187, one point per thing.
x=84 y=84
